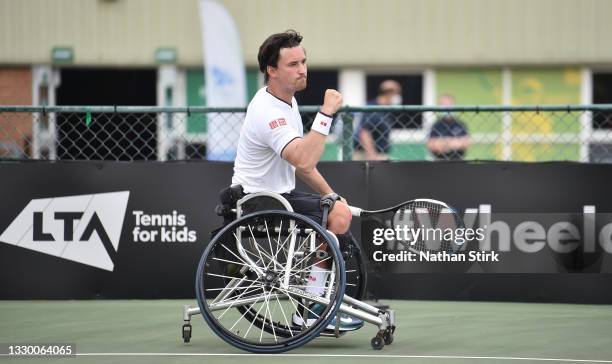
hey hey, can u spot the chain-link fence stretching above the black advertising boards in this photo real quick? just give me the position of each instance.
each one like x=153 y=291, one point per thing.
x=529 y=133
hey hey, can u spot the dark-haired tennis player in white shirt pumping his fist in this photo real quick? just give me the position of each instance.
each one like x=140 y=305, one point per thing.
x=273 y=150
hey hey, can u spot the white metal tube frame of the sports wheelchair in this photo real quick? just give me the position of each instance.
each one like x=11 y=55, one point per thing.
x=383 y=319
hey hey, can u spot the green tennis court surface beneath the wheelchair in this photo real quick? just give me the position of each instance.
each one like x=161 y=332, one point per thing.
x=148 y=331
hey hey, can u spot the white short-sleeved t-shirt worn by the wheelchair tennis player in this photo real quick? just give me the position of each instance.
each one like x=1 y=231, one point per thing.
x=270 y=124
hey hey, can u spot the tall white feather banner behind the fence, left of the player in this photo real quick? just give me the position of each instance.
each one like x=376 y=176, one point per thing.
x=224 y=78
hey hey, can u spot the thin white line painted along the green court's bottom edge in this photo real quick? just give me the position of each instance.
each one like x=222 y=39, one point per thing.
x=381 y=356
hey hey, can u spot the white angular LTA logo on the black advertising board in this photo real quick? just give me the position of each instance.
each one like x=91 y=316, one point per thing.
x=85 y=229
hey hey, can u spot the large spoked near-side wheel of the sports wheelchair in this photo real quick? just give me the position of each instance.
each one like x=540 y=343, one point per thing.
x=252 y=278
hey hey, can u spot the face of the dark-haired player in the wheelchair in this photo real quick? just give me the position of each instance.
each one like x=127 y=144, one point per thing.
x=291 y=70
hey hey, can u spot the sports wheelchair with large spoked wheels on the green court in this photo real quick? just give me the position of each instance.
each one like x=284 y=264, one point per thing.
x=251 y=279
